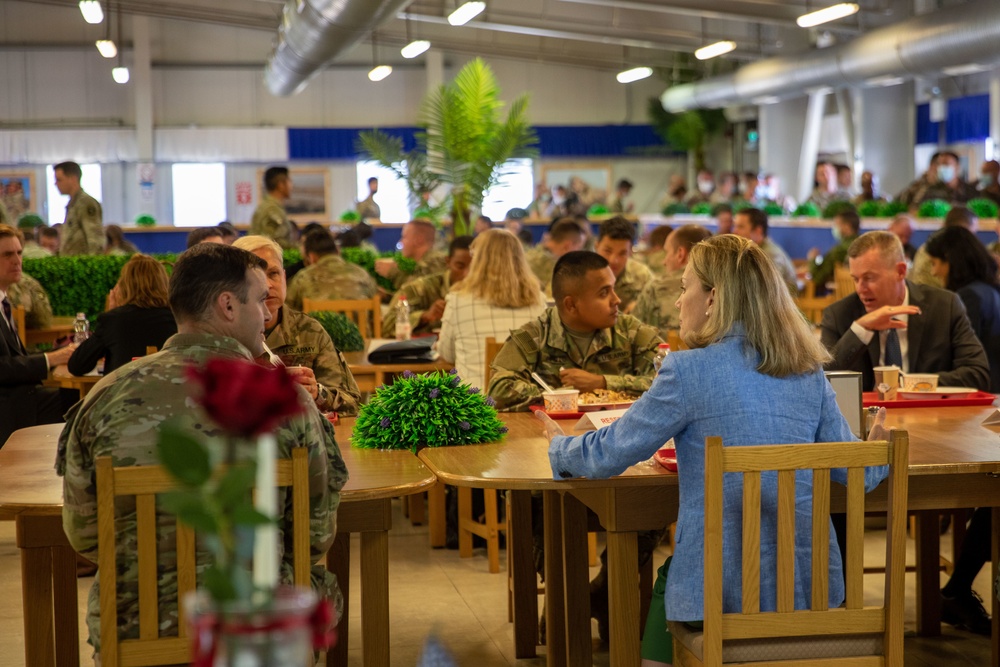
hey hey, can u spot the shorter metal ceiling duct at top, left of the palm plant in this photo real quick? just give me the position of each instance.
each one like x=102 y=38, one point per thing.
x=313 y=32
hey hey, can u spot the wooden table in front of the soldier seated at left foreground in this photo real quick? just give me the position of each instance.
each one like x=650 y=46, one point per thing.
x=31 y=495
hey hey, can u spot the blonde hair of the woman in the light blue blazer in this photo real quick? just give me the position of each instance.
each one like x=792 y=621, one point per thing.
x=749 y=291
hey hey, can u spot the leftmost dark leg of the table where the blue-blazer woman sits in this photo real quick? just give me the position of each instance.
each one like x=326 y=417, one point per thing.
x=525 y=581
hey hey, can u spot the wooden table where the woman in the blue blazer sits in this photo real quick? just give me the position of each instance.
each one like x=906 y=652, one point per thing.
x=954 y=463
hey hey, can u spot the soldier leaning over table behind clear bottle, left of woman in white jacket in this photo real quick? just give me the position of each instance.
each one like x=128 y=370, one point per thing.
x=425 y=296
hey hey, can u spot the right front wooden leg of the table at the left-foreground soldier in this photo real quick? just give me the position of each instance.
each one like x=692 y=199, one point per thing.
x=375 y=597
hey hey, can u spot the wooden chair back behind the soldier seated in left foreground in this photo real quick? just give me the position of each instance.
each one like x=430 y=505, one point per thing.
x=144 y=483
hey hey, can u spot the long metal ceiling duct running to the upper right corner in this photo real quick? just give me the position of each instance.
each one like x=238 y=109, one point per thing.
x=920 y=46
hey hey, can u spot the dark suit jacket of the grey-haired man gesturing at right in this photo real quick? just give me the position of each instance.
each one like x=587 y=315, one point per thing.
x=940 y=340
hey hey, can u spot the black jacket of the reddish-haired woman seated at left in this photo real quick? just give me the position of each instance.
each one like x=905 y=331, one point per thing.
x=120 y=335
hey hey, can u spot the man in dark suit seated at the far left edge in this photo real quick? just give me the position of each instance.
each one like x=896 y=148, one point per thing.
x=23 y=401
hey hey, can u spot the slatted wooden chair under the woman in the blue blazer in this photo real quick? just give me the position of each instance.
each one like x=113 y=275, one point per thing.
x=849 y=636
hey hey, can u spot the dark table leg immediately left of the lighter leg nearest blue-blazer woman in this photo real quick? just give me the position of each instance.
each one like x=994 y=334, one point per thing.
x=579 y=645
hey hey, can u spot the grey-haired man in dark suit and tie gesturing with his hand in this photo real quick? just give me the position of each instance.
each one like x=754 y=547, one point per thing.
x=891 y=321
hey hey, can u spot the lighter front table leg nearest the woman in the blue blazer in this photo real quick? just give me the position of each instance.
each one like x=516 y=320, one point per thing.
x=623 y=589
